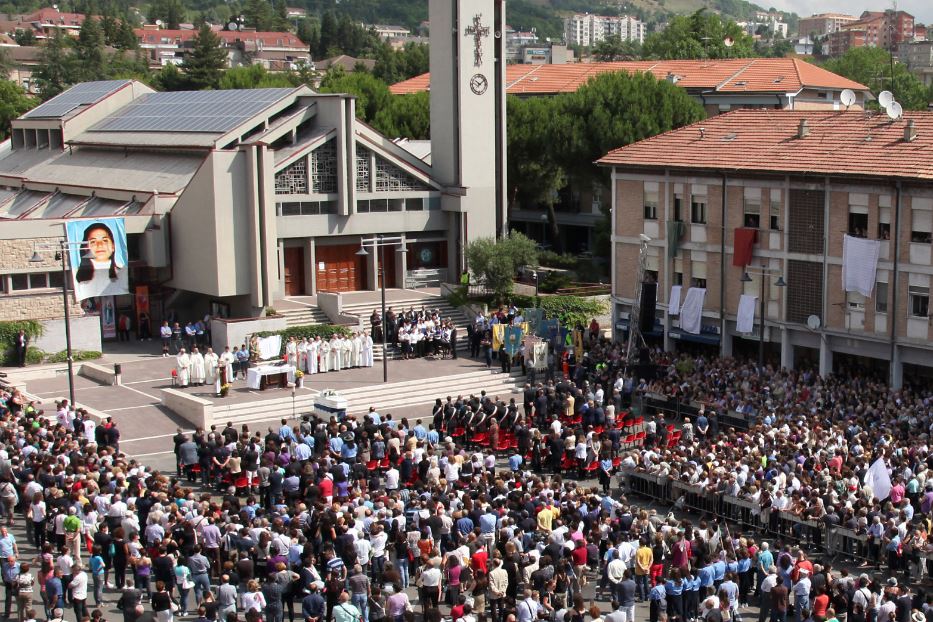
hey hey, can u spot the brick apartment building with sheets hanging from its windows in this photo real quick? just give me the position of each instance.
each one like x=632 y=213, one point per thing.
x=777 y=192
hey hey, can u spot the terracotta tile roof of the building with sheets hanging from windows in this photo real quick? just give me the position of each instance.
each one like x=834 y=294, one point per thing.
x=852 y=143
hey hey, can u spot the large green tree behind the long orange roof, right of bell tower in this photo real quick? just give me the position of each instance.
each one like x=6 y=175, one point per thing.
x=700 y=35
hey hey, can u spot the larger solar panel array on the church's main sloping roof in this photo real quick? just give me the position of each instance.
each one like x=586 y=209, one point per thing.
x=191 y=111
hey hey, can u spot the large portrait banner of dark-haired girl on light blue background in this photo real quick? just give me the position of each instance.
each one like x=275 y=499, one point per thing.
x=98 y=257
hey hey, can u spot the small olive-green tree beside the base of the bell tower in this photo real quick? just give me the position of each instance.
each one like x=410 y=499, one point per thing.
x=496 y=262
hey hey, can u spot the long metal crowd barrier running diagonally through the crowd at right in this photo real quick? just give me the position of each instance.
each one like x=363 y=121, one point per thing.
x=832 y=540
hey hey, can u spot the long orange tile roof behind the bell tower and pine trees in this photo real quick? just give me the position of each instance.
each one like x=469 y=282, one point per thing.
x=752 y=75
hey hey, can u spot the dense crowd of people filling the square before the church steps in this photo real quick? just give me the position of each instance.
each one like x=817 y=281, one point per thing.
x=487 y=506
